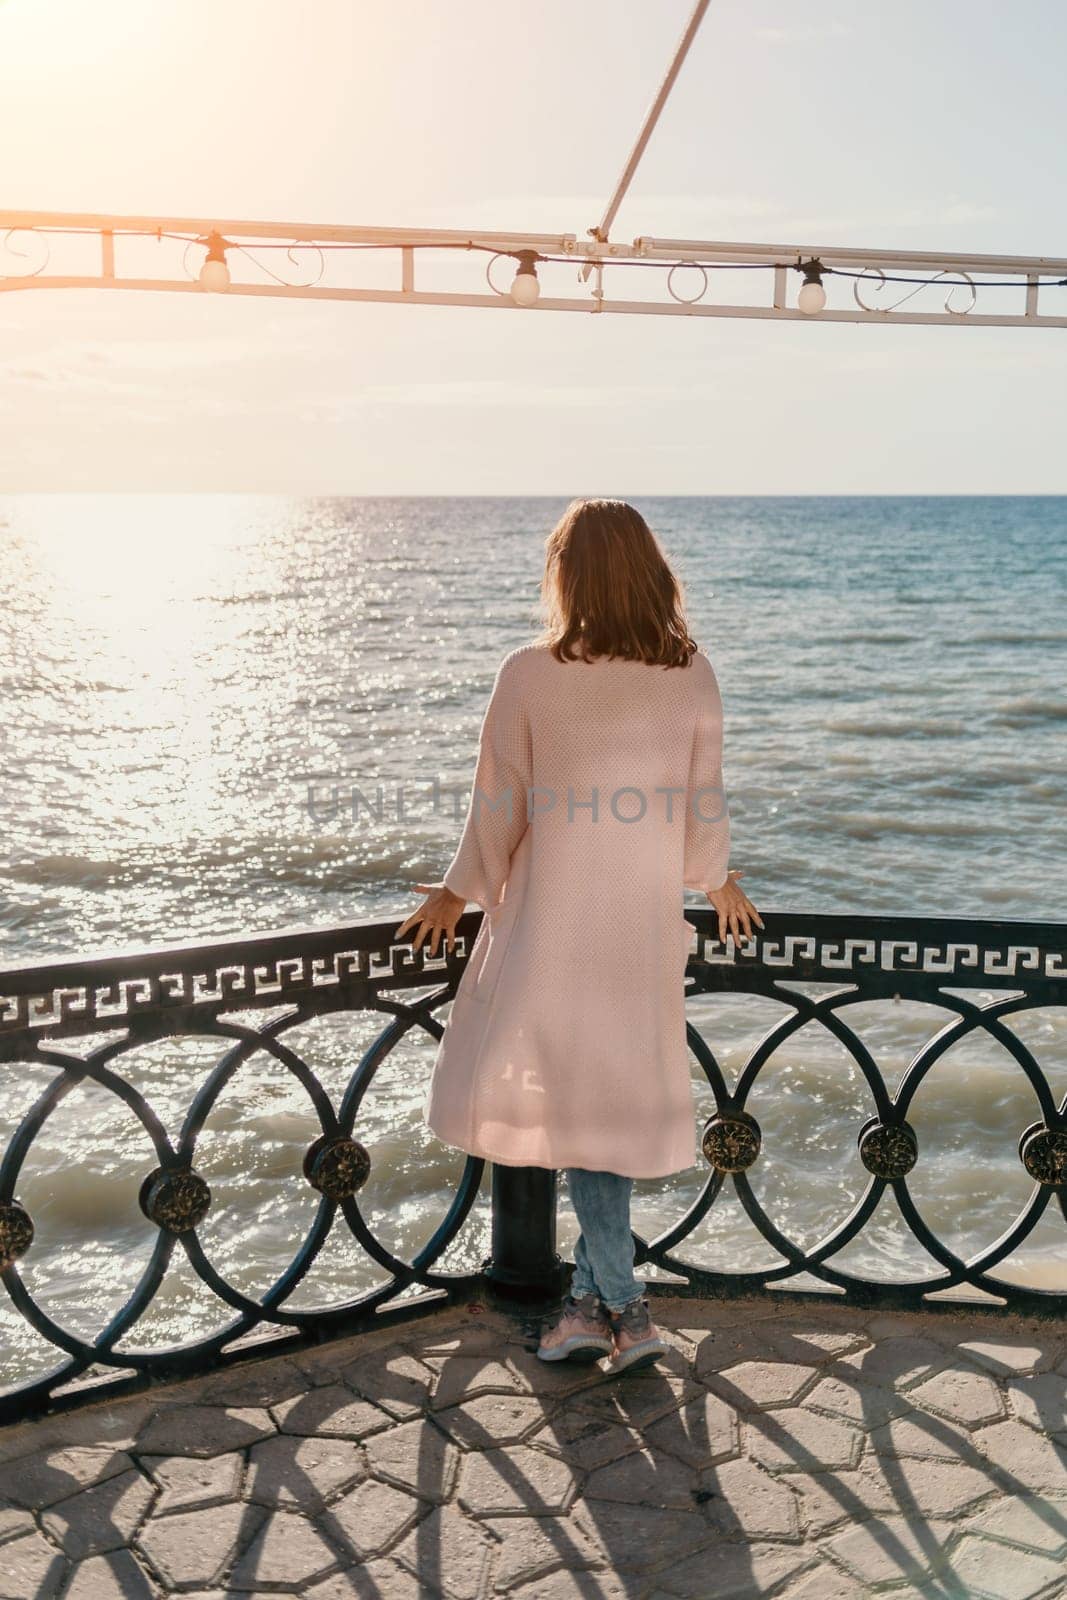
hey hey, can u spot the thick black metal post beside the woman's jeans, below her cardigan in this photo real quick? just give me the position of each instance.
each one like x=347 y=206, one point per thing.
x=524 y=1258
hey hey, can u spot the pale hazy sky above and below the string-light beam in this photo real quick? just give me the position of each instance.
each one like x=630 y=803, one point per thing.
x=924 y=124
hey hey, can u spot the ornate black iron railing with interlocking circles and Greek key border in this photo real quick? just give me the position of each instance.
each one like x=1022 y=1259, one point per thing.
x=209 y=991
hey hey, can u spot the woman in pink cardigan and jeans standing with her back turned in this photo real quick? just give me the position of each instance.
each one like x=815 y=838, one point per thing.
x=597 y=798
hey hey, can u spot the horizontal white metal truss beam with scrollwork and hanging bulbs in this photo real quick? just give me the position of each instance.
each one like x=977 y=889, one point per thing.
x=695 y=263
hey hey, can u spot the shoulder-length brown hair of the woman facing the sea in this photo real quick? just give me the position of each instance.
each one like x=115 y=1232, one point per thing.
x=609 y=590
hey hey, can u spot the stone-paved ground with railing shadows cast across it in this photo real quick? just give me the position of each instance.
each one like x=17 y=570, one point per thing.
x=809 y=1455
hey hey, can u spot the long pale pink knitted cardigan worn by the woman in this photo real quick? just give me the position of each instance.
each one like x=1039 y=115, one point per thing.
x=597 y=796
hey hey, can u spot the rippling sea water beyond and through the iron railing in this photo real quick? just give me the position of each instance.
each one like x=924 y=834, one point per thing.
x=230 y=714
